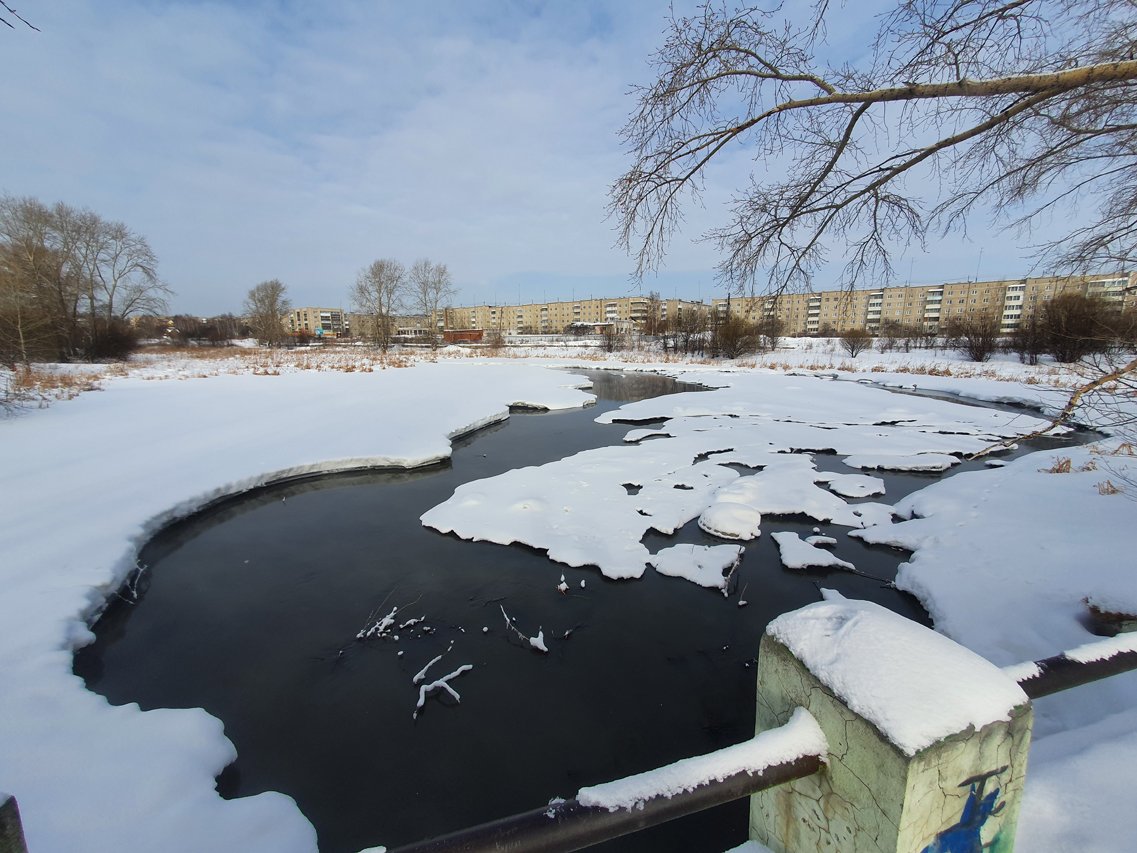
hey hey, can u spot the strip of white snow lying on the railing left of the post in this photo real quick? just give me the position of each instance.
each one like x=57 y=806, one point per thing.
x=800 y=738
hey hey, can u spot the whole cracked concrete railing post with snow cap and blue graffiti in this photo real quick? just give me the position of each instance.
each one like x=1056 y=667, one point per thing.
x=928 y=741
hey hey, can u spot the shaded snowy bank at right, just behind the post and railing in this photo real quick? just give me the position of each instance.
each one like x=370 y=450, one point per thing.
x=1006 y=558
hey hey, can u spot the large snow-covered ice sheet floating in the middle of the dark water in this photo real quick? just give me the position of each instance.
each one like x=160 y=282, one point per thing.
x=595 y=508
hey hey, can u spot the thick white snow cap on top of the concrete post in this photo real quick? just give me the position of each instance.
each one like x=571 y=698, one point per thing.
x=897 y=674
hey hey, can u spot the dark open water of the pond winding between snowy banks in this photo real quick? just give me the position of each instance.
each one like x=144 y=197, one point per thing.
x=252 y=608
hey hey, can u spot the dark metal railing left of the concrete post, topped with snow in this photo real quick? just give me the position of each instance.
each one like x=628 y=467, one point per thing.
x=609 y=811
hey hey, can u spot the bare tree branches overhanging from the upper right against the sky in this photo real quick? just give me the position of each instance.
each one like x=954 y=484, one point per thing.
x=1026 y=110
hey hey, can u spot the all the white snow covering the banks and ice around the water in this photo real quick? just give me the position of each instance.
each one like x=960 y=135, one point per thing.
x=1005 y=559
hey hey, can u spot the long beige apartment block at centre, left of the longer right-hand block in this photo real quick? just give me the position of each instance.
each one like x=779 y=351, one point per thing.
x=625 y=313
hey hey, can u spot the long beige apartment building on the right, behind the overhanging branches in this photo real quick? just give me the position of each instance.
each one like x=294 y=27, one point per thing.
x=927 y=307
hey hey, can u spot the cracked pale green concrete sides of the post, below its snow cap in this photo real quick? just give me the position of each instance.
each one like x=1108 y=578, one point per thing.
x=870 y=798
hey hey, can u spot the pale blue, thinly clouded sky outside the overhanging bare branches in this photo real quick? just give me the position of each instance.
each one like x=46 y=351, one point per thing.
x=279 y=139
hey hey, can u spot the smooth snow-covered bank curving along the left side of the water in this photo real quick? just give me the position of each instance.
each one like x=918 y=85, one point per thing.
x=87 y=482
